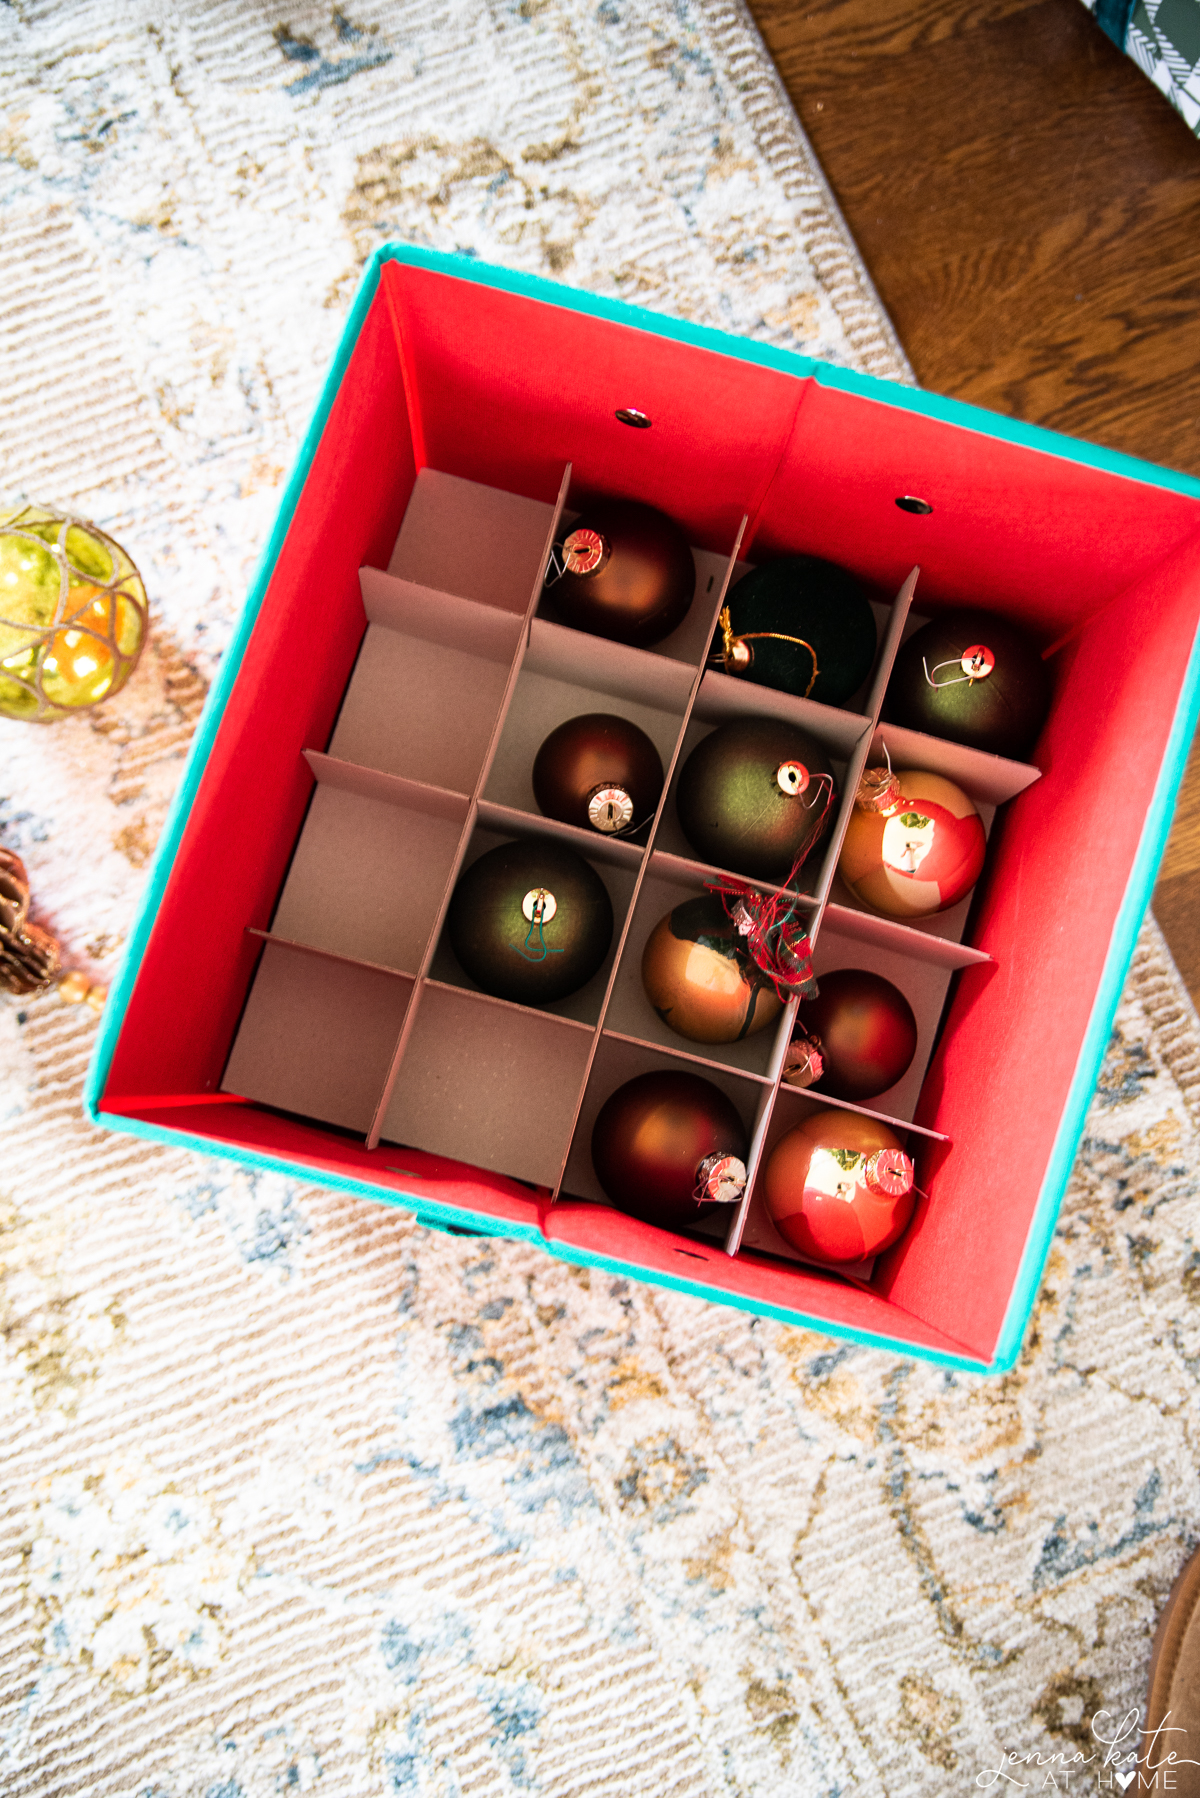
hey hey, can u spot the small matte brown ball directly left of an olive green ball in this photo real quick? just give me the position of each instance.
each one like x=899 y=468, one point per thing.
x=598 y=772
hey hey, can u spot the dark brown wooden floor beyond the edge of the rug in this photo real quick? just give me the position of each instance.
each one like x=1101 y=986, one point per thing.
x=1030 y=209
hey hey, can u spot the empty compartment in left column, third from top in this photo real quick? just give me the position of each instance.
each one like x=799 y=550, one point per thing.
x=372 y=866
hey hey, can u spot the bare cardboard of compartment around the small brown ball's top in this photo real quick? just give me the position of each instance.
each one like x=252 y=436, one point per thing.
x=568 y=675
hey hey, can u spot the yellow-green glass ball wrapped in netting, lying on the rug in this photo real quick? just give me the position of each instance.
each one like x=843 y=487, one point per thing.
x=73 y=614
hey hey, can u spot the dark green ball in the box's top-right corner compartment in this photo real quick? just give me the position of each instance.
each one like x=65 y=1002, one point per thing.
x=976 y=679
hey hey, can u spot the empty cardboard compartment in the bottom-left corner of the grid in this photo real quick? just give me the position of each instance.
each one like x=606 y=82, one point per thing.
x=318 y=1037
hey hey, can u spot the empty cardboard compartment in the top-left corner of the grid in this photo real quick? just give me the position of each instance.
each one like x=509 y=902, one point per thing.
x=465 y=539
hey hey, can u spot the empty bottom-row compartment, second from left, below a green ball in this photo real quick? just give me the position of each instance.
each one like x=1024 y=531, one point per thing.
x=488 y=1083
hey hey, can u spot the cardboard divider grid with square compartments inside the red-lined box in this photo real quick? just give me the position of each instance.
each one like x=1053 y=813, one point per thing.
x=461 y=675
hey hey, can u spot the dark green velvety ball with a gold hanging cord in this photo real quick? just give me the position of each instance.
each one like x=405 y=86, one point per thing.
x=801 y=627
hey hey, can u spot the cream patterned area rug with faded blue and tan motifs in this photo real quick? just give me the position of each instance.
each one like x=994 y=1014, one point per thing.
x=298 y=1495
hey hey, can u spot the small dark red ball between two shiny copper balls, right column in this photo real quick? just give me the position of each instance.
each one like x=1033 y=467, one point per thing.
x=864 y=1031
